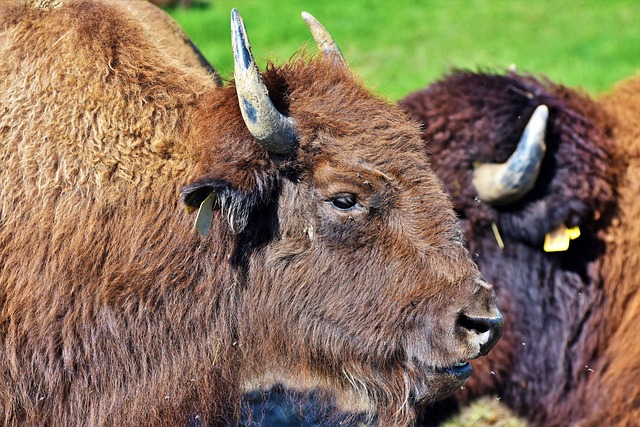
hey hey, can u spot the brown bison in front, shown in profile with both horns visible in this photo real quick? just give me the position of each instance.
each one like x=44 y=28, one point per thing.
x=332 y=257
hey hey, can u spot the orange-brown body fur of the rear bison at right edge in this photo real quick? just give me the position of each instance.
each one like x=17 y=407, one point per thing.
x=619 y=380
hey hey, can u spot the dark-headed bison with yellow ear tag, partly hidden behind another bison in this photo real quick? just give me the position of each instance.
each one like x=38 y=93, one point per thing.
x=571 y=353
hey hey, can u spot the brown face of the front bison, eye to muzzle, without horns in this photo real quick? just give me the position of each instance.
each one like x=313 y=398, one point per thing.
x=367 y=270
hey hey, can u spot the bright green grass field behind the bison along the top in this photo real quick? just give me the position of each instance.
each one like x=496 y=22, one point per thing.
x=398 y=46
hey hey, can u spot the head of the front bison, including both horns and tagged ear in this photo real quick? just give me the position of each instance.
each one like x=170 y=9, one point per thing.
x=350 y=269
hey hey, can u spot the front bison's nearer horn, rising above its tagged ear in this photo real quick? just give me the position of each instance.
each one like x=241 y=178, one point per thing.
x=275 y=131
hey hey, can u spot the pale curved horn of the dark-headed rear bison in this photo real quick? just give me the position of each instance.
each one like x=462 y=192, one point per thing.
x=504 y=183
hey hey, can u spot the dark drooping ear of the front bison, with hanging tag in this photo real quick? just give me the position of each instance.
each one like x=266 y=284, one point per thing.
x=209 y=195
